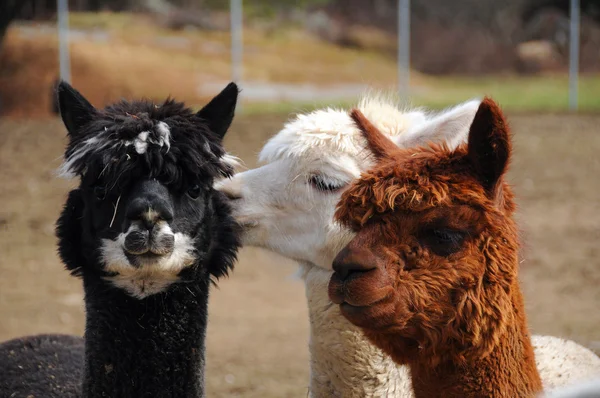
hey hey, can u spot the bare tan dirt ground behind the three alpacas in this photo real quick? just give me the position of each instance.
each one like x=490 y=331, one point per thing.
x=258 y=327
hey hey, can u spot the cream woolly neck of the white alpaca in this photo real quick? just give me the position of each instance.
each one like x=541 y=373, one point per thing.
x=342 y=362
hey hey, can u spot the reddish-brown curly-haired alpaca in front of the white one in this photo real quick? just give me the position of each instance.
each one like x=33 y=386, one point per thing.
x=432 y=274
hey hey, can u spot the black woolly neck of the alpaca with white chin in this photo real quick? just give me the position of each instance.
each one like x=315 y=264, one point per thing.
x=144 y=348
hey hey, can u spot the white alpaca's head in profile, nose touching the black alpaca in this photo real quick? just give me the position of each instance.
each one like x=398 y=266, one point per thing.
x=287 y=205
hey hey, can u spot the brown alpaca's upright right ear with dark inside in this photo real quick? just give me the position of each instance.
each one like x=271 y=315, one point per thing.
x=489 y=145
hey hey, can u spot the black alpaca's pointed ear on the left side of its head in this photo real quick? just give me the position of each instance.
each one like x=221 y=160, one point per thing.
x=74 y=109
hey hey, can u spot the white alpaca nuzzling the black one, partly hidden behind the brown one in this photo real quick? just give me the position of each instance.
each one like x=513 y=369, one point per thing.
x=287 y=206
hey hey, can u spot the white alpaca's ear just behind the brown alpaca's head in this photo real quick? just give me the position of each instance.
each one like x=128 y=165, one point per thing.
x=450 y=126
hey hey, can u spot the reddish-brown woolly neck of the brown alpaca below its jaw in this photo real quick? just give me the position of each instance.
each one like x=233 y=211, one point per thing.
x=508 y=371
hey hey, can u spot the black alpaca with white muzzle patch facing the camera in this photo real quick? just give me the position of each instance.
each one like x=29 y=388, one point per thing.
x=147 y=233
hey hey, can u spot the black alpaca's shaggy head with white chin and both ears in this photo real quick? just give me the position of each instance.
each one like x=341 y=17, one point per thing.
x=145 y=215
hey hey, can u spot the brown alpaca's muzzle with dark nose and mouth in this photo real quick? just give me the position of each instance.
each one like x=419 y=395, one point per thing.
x=362 y=286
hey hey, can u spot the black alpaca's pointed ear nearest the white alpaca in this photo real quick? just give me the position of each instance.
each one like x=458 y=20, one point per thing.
x=218 y=113
